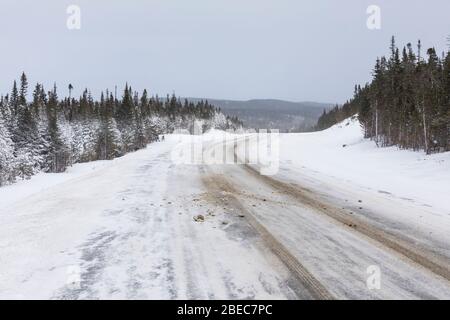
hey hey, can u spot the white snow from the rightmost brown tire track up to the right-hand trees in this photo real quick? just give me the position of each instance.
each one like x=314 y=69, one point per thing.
x=399 y=191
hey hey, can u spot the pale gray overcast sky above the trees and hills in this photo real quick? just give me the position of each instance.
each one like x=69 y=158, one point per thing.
x=234 y=49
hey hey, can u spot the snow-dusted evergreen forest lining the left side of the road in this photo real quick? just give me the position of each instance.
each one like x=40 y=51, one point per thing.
x=49 y=134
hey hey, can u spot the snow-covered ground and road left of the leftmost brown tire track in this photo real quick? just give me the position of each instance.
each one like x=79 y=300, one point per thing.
x=126 y=230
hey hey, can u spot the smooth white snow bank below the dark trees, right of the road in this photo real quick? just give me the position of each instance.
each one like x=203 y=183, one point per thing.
x=341 y=152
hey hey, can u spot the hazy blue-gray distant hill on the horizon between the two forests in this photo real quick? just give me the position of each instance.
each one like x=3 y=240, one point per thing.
x=285 y=116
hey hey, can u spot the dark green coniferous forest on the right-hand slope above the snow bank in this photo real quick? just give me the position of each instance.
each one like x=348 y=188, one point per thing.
x=407 y=103
